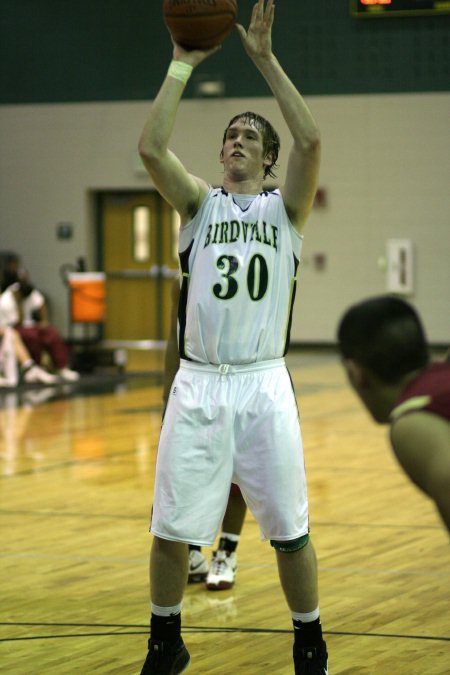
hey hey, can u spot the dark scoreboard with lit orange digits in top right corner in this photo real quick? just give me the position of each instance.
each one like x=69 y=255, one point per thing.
x=374 y=8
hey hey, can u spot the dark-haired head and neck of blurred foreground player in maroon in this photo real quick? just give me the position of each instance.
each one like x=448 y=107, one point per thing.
x=382 y=342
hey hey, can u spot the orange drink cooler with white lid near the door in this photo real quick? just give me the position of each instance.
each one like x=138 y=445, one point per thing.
x=87 y=301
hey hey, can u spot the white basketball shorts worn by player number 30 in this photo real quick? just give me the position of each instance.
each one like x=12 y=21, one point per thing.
x=227 y=424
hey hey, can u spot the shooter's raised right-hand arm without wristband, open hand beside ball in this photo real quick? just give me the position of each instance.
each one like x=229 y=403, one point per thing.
x=304 y=159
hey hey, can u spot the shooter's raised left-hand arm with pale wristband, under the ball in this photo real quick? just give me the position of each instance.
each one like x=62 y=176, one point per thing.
x=181 y=189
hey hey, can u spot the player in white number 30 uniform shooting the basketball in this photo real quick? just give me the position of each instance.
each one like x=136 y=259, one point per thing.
x=231 y=414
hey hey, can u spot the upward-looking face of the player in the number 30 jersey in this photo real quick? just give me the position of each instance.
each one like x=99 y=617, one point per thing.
x=242 y=153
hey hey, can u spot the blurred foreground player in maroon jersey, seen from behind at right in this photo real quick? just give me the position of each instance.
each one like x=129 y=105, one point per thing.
x=386 y=358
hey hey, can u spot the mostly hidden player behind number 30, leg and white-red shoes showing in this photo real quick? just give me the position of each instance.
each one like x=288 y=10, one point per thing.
x=222 y=573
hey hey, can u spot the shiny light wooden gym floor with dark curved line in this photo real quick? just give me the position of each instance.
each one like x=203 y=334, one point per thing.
x=77 y=466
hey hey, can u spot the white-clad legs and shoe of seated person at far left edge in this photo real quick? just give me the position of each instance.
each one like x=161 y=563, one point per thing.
x=13 y=353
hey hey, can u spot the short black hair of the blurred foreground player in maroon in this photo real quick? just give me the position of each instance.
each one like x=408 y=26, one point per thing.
x=384 y=334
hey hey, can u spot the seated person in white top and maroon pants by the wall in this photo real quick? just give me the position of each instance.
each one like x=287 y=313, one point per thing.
x=23 y=307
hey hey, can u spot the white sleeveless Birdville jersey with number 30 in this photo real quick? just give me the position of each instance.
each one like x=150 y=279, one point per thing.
x=239 y=257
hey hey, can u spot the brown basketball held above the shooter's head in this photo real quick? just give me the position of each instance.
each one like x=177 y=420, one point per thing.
x=199 y=24
